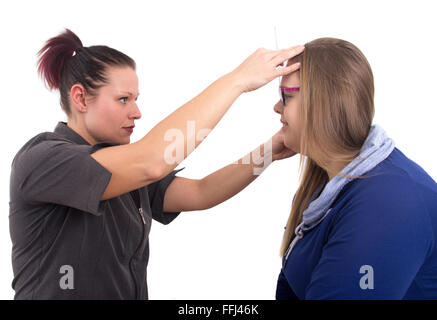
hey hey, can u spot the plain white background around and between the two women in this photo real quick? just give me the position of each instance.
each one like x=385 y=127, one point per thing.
x=232 y=250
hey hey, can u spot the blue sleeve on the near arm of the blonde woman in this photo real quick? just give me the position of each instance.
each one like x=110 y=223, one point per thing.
x=377 y=244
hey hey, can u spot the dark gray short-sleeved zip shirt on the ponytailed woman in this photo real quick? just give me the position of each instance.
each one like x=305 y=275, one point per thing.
x=67 y=244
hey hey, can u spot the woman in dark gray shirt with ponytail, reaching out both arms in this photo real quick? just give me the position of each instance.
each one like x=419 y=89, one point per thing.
x=82 y=198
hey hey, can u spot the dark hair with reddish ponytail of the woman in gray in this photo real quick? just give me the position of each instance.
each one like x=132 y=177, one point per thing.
x=64 y=61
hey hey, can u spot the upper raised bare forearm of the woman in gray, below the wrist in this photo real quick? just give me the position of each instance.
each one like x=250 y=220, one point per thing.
x=204 y=111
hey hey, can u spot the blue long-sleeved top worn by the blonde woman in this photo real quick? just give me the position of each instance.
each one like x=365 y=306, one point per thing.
x=378 y=240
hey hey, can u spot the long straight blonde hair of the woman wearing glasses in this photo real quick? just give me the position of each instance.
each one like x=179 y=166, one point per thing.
x=337 y=109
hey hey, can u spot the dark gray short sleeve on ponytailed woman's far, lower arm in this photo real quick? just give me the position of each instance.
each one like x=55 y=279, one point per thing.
x=156 y=193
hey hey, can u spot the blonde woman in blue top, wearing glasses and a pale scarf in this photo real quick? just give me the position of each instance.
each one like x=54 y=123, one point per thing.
x=363 y=221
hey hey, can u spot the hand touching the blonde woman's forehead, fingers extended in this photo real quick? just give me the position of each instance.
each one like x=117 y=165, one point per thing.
x=261 y=67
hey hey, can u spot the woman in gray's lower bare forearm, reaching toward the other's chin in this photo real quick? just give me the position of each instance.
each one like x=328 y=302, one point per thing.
x=230 y=180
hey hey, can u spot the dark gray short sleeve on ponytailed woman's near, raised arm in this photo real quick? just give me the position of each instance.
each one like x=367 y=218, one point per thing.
x=63 y=173
